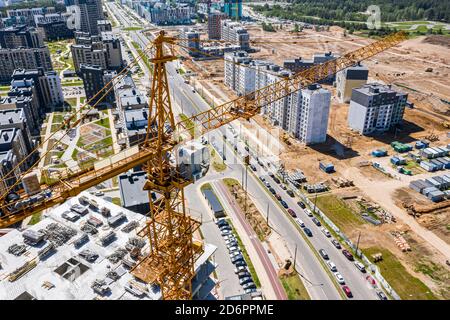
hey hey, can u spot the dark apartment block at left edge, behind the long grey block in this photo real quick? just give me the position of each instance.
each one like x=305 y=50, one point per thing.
x=20 y=36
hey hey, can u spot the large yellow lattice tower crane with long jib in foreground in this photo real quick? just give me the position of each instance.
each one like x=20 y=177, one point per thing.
x=169 y=229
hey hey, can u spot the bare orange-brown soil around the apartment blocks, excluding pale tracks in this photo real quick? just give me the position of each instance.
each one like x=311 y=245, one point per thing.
x=419 y=67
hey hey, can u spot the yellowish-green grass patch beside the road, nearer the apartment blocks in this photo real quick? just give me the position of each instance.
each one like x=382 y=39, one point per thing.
x=338 y=212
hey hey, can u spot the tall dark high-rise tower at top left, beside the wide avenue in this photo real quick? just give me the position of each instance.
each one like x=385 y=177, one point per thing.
x=91 y=12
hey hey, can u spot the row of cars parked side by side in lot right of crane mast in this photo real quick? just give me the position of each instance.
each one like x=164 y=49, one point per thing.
x=236 y=256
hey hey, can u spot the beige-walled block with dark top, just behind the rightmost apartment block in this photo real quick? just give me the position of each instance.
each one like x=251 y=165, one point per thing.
x=349 y=79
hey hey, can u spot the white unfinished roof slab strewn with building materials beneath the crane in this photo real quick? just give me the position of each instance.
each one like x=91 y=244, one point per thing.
x=62 y=273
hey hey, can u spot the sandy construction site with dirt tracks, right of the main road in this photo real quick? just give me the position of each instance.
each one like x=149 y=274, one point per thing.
x=404 y=67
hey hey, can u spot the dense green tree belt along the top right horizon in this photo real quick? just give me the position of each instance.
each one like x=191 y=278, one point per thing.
x=355 y=10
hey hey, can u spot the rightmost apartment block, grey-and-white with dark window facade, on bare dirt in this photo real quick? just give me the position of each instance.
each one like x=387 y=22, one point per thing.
x=376 y=108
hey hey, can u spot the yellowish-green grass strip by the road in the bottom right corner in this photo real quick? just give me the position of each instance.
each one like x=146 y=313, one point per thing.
x=406 y=285
